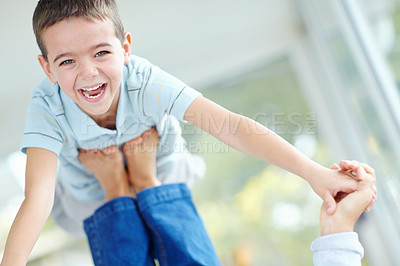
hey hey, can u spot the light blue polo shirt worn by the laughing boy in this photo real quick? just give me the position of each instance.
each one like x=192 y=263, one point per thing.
x=149 y=96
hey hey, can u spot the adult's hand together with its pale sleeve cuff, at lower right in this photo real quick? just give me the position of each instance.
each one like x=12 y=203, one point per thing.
x=338 y=244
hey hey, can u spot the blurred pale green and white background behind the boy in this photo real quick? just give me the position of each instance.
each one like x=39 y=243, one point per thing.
x=323 y=74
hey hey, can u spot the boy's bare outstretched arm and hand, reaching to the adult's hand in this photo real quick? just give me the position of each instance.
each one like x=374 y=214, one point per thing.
x=248 y=136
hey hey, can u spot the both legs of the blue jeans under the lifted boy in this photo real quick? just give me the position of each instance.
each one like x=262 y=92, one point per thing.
x=160 y=223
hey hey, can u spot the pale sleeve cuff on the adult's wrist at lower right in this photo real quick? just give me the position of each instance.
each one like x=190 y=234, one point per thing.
x=342 y=249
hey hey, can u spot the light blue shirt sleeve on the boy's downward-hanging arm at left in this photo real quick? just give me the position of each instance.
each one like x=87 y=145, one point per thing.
x=41 y=129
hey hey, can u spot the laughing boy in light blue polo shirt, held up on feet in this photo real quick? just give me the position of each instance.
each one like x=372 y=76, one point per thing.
x=97 y=95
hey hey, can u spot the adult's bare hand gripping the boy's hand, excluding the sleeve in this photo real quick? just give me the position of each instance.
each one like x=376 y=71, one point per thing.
x=350 y=207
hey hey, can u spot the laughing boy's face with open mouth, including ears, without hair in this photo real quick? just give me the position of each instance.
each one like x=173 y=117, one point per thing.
x=86 y=59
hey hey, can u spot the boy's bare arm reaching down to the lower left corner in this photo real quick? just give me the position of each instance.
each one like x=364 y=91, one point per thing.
x=39 y=197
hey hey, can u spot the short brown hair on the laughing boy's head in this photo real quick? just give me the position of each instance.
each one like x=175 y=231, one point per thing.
x=49 y=12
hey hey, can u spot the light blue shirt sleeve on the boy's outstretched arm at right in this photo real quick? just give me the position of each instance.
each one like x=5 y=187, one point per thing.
x=165 y=94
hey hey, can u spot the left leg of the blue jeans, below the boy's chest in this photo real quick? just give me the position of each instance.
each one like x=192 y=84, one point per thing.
x=117 y=235
